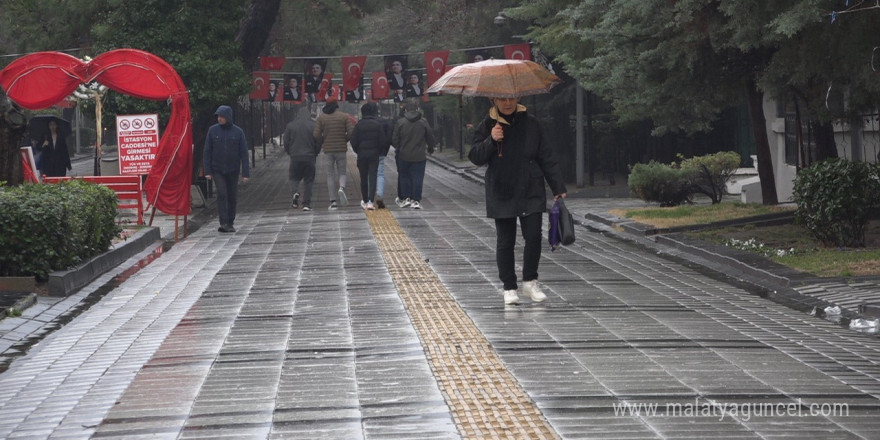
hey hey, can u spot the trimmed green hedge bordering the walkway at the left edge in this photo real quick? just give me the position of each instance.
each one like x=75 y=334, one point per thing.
x=50 y=227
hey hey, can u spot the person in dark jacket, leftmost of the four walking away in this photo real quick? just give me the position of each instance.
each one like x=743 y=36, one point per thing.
x=302 y=147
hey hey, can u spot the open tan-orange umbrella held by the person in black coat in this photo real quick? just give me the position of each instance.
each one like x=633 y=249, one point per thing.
x=496 y=79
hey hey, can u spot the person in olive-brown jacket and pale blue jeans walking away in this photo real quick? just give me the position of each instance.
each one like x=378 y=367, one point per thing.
x=333 y=131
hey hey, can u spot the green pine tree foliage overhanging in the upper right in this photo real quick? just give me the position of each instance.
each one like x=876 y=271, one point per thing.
x=679 y=63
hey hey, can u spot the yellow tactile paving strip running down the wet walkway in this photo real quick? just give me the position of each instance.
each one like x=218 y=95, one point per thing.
x=485 y=399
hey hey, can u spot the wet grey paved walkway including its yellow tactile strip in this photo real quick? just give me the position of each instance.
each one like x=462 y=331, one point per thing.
x=341 y=324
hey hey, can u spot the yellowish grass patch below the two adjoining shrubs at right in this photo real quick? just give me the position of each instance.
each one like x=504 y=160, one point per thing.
x=689 y=215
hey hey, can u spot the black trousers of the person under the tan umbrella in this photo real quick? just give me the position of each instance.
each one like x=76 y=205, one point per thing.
x=505 y=234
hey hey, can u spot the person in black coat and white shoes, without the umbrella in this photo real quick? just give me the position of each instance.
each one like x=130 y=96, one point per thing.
x=519 y=159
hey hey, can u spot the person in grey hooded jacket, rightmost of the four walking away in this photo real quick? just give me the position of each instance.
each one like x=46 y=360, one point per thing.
x=412 y=139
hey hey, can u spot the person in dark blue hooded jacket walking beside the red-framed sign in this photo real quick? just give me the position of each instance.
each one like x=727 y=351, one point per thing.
x=225 y=156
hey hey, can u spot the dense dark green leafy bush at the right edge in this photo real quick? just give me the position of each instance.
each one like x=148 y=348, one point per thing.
x=834 y=199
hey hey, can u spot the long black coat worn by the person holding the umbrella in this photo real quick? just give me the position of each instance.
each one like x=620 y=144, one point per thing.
x=515 y=181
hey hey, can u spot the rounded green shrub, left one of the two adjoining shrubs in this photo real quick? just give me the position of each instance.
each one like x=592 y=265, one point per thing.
x=656 y=182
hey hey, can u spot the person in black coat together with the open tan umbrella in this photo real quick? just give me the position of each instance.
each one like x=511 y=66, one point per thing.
x=519 y=158
